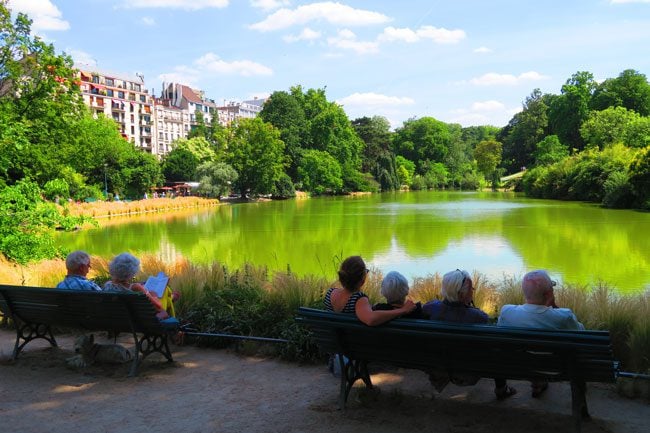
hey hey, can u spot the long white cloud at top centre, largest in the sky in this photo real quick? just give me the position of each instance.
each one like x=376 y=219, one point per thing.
x=331 y=12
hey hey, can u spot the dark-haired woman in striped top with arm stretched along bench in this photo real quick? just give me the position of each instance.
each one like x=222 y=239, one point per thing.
x=350 y=298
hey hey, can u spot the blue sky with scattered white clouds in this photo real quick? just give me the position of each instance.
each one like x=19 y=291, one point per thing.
x=471 y=62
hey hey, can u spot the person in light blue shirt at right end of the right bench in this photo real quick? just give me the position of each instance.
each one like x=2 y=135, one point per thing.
x=539 y=311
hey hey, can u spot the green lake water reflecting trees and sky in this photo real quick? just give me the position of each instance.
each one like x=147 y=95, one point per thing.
x=416 y=233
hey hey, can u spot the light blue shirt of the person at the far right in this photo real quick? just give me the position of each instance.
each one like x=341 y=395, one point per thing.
x=538 y=316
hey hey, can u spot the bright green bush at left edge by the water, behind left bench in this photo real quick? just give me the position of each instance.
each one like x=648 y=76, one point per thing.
x=27 y=223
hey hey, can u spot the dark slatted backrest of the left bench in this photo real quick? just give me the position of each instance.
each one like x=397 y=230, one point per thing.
x=105 y=311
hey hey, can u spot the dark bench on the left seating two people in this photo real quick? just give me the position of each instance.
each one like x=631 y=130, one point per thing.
x=35 y=310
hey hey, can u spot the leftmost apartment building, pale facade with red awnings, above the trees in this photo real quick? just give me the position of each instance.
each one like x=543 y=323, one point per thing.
x=126 y=101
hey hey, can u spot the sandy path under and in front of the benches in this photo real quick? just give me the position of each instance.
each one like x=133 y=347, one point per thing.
x=208 y=390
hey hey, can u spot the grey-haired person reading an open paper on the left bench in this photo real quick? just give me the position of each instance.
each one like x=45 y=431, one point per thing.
x=123 y=268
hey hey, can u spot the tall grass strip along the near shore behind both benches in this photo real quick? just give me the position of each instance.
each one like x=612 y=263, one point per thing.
x=252 y=301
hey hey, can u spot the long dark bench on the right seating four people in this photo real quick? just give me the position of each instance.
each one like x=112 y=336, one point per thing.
x=480 y=350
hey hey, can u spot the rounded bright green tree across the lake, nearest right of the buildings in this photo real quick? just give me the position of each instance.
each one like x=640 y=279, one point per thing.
x=256 y=152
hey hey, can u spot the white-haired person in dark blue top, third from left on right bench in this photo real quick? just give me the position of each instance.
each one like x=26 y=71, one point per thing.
x=458 y=306
